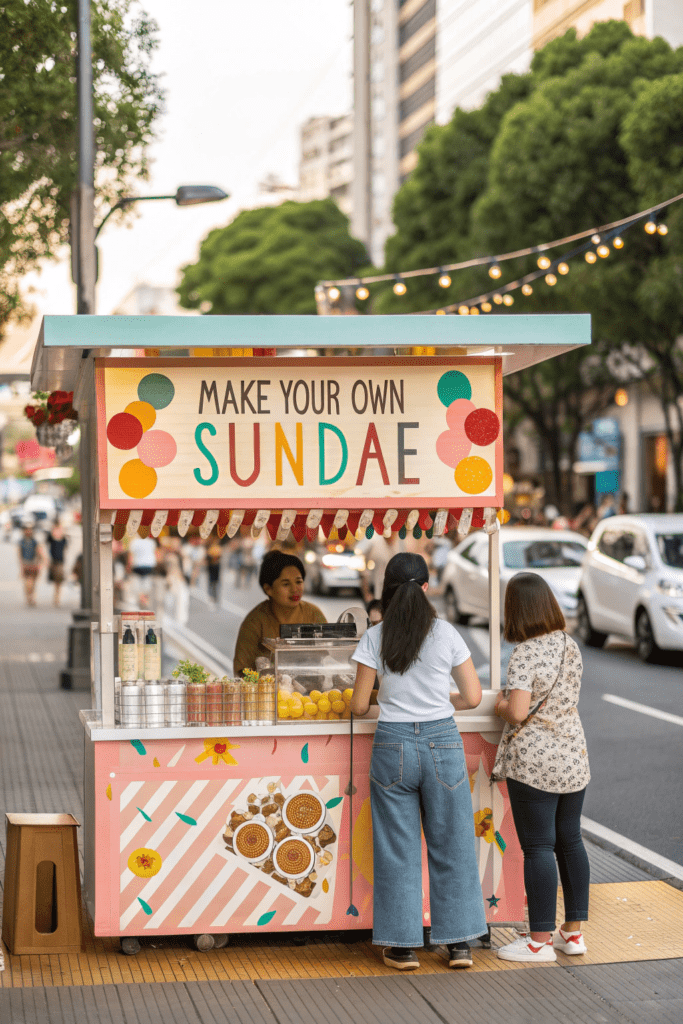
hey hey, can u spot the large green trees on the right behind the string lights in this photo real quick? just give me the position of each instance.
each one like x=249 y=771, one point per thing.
x=592 y=134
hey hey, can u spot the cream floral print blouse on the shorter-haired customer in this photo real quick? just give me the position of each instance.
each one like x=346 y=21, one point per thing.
x=549 y=753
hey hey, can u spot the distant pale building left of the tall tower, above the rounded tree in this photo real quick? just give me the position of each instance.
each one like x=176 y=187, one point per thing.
x=326 y=164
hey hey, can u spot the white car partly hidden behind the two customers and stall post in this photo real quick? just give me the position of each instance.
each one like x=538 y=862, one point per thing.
x=554 y=554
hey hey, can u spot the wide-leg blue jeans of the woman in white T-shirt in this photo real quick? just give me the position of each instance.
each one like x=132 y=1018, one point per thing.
x=418 y=777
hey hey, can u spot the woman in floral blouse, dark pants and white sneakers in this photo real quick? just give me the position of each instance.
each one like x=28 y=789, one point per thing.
x=543 y=758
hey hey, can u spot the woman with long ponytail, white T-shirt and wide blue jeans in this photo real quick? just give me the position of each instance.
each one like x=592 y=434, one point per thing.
x=418 y=775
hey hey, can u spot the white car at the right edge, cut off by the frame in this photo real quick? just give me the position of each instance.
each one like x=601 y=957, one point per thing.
x=632 y=584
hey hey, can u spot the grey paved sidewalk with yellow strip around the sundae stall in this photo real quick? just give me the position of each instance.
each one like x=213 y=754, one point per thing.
x=632 y=973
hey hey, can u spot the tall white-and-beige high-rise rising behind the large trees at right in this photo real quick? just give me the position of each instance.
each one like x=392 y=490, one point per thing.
x=416 y=61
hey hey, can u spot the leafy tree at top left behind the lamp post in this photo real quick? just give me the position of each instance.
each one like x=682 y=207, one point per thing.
x=38 y=125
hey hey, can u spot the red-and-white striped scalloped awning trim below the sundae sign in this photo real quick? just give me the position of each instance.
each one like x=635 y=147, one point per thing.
x=149 y=523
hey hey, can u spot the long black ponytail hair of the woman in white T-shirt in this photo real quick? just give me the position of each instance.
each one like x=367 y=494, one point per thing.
x=408 y=614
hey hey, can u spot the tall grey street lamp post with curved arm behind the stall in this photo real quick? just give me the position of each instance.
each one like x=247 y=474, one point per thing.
x=84 y=264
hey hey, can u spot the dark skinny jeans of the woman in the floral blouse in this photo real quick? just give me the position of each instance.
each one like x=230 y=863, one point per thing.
x=549 y=827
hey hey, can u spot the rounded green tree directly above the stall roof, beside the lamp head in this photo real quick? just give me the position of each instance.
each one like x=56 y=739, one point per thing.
x=269 y=261
